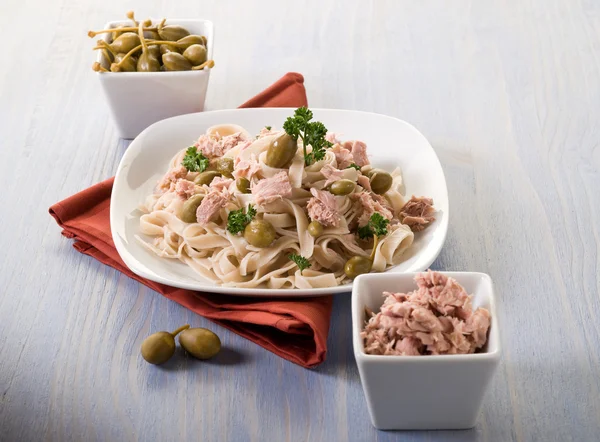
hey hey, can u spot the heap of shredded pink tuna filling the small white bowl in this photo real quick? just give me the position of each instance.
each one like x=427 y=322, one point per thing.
x=426 y=322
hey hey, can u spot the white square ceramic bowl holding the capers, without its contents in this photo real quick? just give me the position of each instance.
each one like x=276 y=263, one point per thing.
x=139 y=99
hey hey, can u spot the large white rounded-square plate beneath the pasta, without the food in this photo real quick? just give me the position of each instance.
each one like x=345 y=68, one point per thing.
x=390 y=143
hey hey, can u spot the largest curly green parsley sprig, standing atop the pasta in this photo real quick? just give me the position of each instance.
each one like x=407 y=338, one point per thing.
x=310 y=132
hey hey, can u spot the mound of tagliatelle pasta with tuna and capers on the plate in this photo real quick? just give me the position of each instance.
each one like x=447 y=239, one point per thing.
x=210 y=226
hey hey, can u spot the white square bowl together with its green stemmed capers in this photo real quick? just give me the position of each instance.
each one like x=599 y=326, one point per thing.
x=153 y=69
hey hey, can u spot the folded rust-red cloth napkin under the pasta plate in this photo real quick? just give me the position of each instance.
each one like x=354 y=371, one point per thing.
x=295 y=329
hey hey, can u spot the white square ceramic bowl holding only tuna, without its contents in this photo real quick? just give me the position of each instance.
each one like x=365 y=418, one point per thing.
x=423 y=392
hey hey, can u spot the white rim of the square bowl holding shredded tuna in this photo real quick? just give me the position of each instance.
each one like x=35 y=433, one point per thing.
x=358 y=345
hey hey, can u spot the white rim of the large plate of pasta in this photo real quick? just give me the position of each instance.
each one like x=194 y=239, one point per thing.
x=132 y=263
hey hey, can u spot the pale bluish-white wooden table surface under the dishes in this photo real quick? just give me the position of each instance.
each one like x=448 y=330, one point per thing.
x=508 y=95
